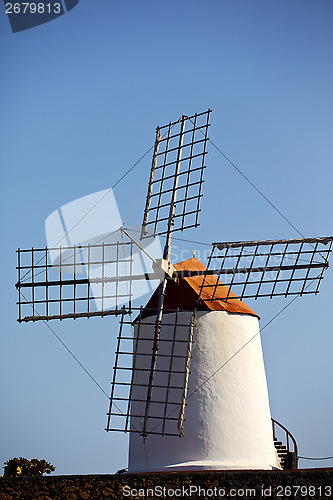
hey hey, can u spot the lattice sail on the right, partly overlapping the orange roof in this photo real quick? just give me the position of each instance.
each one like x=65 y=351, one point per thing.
x=252 y=269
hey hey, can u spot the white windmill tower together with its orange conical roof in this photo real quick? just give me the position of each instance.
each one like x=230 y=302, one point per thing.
x=228 y=421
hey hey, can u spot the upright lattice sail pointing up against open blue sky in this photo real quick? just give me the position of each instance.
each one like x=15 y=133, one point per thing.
x=176 y=178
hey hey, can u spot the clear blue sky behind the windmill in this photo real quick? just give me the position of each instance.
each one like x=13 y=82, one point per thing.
x=80 y=99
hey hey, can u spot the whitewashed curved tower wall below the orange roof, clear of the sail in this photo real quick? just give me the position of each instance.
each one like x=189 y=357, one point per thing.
x=227 y=421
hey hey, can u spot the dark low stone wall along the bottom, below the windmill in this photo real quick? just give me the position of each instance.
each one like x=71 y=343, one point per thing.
x=303 y=484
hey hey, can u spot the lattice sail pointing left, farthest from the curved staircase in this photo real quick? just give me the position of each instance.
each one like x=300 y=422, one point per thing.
x=73 y=282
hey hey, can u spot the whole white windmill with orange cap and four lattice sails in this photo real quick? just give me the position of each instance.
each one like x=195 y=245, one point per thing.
x=168 y=380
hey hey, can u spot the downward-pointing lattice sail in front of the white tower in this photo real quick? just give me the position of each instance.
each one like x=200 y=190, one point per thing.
x=132 y=369
